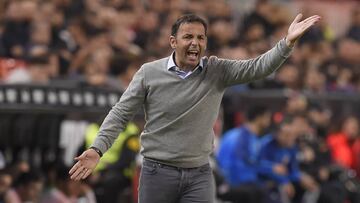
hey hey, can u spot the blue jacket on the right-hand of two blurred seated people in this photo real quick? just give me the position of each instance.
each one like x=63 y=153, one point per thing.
x=272 y=153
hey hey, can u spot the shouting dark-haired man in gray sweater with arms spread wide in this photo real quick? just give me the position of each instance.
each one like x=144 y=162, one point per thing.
x=181 y=95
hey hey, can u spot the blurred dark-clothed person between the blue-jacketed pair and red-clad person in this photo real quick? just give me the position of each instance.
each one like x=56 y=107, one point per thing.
x=315 y=159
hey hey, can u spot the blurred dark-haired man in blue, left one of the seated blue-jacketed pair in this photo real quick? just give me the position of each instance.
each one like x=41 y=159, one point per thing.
x=238 y=158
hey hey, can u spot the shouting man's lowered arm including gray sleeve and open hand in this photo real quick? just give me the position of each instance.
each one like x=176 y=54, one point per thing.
x=114 y=123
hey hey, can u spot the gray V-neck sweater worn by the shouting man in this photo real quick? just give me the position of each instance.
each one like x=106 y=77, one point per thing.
x=180 y=113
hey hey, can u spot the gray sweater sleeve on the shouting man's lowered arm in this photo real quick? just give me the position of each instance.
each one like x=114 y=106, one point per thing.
x=115 y=122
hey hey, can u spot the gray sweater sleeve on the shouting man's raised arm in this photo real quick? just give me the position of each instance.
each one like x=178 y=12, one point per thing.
x=243 y=71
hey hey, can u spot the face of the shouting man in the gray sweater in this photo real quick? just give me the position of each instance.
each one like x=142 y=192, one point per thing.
x=189 y=44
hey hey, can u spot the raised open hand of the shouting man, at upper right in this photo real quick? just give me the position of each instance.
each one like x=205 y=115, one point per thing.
x=298 y=28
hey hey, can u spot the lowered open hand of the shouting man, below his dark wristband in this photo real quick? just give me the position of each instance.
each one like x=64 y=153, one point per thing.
x=85 y=164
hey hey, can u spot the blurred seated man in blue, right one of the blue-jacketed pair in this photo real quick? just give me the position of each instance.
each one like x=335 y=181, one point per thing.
x=280 y=149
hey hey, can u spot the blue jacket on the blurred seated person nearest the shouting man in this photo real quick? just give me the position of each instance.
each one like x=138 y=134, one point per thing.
x=238 y=155
